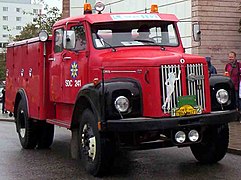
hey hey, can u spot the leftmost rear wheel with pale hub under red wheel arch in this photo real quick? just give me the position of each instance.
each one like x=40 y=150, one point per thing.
x=26 y=127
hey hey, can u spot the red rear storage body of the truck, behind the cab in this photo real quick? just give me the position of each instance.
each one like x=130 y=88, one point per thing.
x=28 y=55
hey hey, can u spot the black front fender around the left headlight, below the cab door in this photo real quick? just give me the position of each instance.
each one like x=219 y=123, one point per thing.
x=101 y=102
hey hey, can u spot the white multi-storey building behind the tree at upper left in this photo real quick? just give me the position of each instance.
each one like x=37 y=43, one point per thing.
x=14 y=14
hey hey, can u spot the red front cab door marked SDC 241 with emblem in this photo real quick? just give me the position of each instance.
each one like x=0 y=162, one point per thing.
x=74 y=64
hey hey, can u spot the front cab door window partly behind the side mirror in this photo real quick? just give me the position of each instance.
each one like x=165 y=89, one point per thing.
x=80 y=43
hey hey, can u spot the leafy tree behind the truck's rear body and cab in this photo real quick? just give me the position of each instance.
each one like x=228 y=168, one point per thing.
x=41 y=22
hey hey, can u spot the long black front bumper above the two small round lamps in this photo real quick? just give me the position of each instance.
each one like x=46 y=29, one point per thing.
x=158 y=124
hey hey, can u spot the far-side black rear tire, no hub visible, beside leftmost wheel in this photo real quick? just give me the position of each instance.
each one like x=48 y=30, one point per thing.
x=45 y=135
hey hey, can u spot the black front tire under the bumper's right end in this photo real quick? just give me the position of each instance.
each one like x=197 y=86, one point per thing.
x=214 y=145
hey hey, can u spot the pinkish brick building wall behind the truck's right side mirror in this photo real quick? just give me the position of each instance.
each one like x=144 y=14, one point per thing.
x=219 y=21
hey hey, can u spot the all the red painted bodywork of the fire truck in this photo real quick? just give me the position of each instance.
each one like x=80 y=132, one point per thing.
x=54 y=101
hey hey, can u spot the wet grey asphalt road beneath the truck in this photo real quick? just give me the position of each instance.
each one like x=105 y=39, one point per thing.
x=55 y=163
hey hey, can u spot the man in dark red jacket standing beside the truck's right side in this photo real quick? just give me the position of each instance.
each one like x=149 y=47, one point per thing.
x=232 y=69
